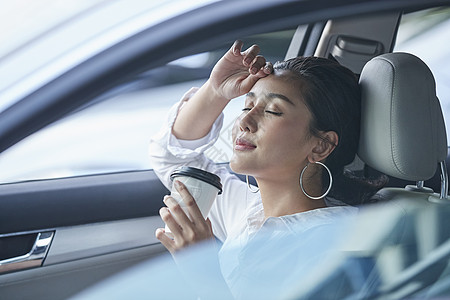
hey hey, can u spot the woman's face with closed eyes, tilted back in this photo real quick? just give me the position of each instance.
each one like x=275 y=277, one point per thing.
x=271 y=137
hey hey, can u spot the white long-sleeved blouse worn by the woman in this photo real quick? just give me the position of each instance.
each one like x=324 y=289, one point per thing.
x=237 y=215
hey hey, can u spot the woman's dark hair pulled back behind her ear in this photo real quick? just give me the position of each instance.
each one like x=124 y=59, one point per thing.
x=333 y=97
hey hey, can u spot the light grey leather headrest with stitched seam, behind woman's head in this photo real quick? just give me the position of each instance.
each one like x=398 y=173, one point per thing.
x=402 y=129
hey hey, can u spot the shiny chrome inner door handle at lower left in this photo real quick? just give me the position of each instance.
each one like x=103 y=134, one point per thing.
x=33 y=258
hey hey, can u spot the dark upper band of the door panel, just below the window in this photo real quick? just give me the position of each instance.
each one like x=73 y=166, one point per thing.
x=62 y=202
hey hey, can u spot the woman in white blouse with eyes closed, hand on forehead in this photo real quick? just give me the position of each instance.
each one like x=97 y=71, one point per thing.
x=298 y=129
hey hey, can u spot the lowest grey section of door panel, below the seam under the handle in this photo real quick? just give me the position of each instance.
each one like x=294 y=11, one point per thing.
x=62 y=280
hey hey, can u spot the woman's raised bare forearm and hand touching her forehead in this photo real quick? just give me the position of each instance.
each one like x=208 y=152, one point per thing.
x=233 y=75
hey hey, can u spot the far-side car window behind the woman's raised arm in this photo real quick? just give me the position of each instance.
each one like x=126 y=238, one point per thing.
x=113 y=133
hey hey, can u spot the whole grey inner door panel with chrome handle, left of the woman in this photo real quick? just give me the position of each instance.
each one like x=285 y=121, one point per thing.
x=98 y=225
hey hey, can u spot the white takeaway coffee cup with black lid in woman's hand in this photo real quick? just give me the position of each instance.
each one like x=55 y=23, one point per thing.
x=202 y=185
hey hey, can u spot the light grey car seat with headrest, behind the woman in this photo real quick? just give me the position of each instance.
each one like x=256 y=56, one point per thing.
x=403 y=135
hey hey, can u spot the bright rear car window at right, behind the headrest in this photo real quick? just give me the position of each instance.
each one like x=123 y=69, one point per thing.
x=425 y=34
